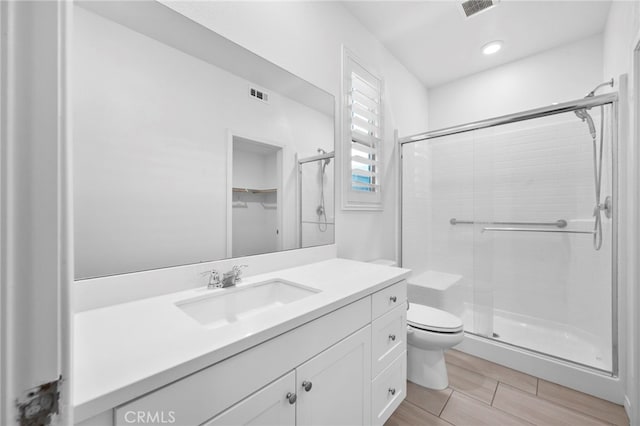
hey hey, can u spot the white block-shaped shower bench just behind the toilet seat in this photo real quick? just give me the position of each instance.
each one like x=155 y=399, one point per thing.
x=440 y=290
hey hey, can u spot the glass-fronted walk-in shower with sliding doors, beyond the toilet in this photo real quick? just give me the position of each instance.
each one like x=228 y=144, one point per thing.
x=518 y=212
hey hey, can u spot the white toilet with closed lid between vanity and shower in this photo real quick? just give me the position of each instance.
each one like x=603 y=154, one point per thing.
x=429 y=332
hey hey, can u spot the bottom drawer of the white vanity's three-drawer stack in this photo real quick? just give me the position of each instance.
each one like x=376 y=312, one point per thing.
x=388 y=390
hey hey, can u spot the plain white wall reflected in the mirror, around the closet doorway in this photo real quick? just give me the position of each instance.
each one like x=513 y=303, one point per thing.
x=150 y=140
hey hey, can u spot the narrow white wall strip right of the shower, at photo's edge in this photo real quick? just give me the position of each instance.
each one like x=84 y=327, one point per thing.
x=621 y=35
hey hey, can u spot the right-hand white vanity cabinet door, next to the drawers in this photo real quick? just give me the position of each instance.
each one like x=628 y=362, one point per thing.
x=339 y=384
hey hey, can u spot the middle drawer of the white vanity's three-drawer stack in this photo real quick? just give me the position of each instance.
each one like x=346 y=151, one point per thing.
x=388 y=338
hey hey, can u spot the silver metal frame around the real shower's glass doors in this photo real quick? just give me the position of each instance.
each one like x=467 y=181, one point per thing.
x=588 y=102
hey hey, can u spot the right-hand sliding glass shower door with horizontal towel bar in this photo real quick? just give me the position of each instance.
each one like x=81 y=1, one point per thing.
x=540 y=283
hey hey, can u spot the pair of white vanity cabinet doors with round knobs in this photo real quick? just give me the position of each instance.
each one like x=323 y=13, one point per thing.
x=332 y=388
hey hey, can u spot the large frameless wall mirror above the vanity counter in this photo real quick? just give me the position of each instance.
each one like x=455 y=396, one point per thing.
x=189 y=148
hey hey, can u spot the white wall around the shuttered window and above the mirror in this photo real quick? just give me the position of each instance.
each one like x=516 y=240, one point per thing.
x=306 y=38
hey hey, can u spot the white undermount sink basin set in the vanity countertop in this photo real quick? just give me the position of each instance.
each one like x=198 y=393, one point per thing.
x=228 y=305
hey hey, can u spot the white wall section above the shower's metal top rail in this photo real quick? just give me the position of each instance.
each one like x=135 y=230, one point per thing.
x=558 y=75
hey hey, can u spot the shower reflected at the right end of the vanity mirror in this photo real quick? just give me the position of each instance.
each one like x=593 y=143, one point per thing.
x=316 y=201
